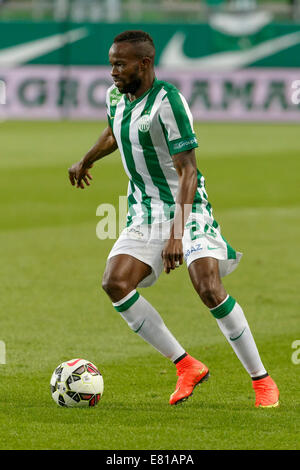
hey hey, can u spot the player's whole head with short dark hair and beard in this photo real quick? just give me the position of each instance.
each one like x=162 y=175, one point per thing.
x=132 y=59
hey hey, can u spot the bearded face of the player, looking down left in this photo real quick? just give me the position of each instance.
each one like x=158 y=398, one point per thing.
x=126 y=67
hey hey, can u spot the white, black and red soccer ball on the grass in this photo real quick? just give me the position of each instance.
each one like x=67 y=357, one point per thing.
x=76 y=383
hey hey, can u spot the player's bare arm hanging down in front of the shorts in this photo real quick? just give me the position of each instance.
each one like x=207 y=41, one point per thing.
x=186 y=167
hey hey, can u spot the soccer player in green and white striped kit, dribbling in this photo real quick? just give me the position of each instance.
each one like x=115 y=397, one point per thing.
x=169 y=217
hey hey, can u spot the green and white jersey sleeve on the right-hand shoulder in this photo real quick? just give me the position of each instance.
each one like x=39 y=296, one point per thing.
x=177 y=123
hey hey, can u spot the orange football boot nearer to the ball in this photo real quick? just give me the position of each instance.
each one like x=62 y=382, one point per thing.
x=191 y=373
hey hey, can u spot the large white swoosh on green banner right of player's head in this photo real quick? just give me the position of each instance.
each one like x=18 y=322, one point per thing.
x=174 y=56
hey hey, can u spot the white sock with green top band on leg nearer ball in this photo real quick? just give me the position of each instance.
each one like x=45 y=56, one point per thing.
x=144 y=320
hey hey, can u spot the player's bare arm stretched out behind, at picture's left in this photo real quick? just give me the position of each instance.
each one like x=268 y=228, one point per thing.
x=79 y=172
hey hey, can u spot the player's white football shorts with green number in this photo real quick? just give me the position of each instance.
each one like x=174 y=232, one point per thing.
x=202 y=238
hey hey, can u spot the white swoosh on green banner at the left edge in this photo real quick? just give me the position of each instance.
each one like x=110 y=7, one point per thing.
x=16 y=55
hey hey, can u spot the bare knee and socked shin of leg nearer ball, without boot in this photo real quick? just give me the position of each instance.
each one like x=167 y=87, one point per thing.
x=122 y=275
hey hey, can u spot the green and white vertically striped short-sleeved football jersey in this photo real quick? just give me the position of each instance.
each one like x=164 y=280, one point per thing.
x=148 y=131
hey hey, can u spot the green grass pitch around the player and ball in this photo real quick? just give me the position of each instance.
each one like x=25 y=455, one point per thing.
x=53 y=308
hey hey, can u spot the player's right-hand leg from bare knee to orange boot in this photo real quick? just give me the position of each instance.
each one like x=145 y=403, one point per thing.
x=204 y=274
